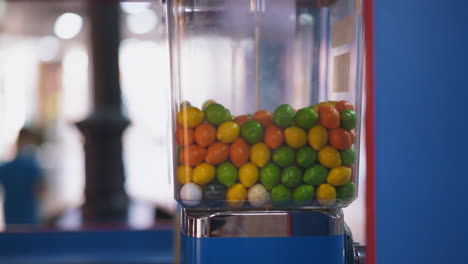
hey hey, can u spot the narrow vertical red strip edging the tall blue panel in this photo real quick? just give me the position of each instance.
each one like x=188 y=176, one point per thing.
x=370 y=131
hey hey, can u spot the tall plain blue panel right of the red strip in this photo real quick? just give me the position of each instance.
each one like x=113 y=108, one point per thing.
x=422 y=130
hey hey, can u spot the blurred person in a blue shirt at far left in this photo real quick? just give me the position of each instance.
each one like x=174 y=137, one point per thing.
x=21 y=182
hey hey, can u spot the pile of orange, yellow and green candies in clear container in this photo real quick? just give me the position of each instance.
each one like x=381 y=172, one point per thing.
x=280 y=159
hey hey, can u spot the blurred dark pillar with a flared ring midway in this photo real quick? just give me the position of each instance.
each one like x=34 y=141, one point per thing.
x=106 y=200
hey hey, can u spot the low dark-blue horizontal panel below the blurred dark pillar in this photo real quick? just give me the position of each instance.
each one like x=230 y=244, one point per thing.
x=149 y=246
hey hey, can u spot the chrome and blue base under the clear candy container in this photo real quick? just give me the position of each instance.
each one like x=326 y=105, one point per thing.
x=266 y=237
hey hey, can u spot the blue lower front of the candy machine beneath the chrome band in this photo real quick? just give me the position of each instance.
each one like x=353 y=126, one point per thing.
x=312 y=249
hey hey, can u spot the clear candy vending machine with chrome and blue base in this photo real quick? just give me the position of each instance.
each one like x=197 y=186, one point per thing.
x=266 y=110
